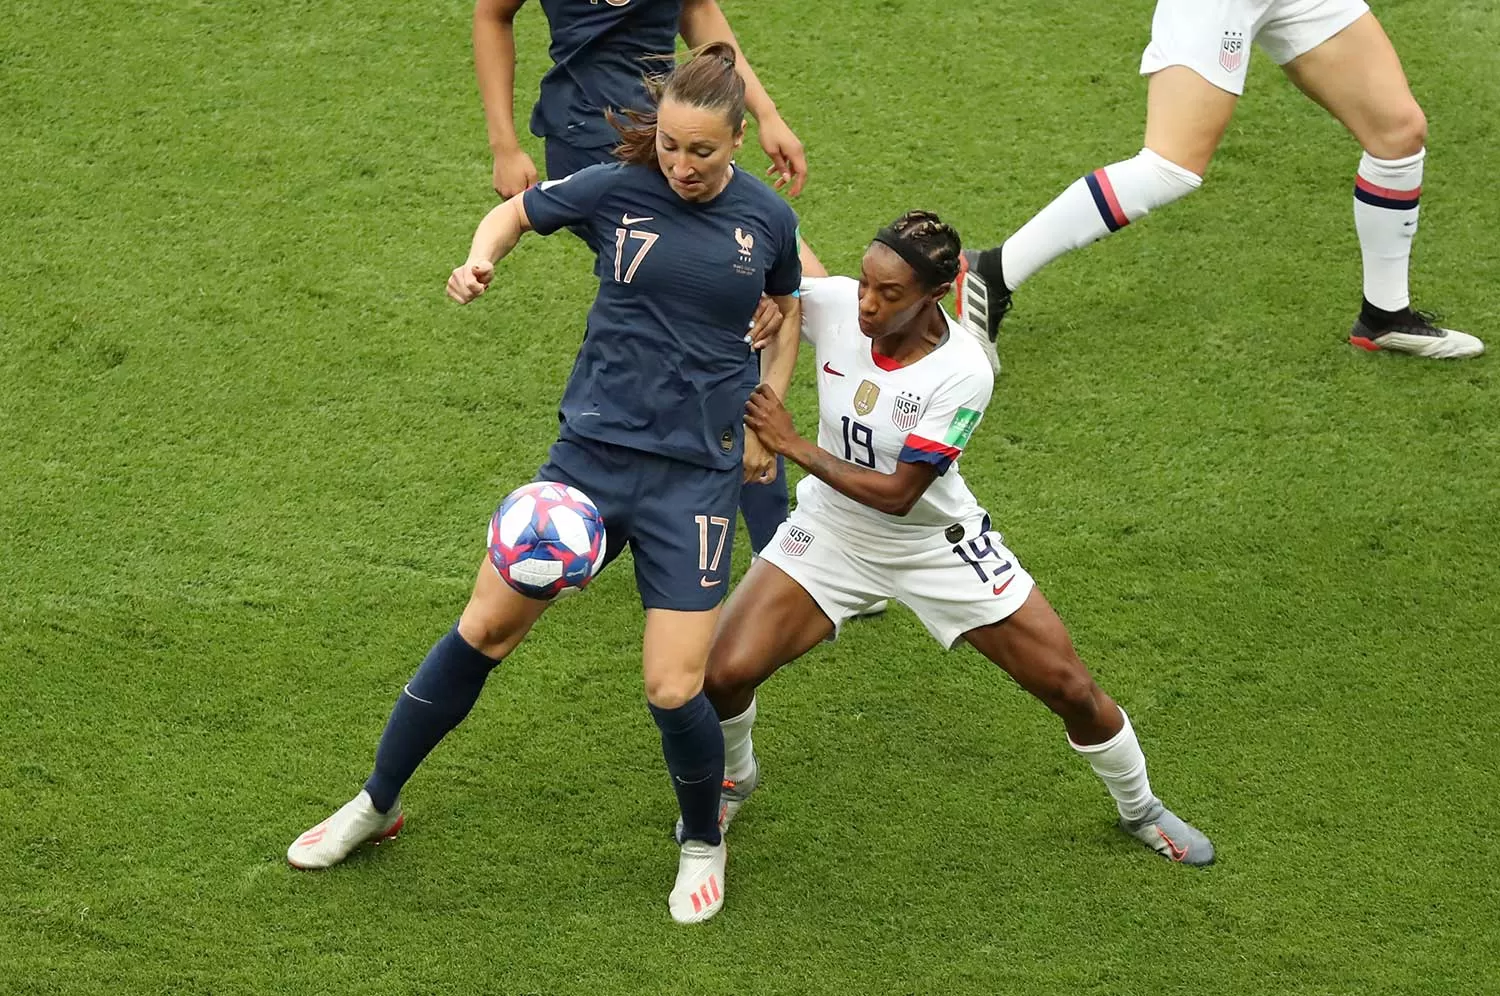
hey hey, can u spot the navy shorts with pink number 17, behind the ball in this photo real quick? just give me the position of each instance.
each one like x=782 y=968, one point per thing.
x=677 y=518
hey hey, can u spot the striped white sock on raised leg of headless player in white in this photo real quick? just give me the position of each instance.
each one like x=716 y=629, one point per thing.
x=1093 y=208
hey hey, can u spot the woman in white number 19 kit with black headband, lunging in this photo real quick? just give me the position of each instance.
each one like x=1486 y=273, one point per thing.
x=884 y=514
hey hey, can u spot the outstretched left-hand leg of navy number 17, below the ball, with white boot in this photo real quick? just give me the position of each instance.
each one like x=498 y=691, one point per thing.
x=437 y=700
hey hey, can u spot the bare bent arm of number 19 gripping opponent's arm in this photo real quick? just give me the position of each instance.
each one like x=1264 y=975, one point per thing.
x=893 y=494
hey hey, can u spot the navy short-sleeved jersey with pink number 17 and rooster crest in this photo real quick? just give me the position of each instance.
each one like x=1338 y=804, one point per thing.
x=664 y=367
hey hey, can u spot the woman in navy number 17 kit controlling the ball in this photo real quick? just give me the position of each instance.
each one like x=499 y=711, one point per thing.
x=652 y=431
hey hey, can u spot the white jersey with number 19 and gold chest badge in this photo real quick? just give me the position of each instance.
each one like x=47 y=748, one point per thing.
x=878 y=416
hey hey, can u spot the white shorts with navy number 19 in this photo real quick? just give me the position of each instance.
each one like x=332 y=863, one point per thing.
x=955 y=581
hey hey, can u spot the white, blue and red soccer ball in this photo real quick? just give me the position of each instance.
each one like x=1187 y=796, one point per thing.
x=547 y=541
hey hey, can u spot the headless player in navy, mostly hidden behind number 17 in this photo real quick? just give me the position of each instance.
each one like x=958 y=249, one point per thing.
x=602 y=55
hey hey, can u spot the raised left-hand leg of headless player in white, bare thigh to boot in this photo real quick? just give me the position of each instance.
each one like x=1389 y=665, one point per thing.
x=1186 y=119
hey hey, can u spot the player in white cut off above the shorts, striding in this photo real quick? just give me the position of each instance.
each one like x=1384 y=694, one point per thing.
x=1333 y=50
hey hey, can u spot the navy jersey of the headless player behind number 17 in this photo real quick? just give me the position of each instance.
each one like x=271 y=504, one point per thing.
x=601 y=53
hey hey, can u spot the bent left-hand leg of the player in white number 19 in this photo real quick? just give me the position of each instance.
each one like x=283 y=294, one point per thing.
x=770 y=622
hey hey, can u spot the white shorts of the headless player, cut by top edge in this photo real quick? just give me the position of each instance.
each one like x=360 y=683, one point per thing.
x=1213 y=37
